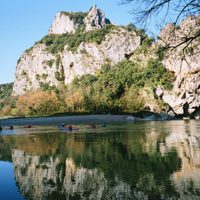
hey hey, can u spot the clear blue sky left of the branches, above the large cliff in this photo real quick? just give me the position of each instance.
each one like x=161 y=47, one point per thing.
x=23 y=22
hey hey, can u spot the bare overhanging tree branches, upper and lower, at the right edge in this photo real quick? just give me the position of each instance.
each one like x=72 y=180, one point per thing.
x=145 y=10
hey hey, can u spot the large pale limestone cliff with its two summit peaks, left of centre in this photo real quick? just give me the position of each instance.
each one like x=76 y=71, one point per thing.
x=37 y=66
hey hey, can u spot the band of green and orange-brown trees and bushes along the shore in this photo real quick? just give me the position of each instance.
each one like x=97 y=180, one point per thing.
x=113 y=89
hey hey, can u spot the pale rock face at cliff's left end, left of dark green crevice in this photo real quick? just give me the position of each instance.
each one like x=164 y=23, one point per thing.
x=33 y=69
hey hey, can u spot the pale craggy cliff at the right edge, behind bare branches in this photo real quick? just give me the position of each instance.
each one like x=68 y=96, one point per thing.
x=183 y=60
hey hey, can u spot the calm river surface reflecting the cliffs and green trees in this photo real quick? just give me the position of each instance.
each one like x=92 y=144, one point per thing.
x=144 y=160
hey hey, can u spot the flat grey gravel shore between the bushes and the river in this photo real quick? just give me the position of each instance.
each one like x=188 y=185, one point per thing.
x=84 y=119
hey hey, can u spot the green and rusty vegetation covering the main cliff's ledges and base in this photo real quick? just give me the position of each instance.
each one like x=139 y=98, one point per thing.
x=124 y=87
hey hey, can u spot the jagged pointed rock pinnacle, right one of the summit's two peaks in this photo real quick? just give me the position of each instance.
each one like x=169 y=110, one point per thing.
x=95 y=19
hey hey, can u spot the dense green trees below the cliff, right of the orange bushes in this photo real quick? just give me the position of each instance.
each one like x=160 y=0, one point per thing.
x=120 y=87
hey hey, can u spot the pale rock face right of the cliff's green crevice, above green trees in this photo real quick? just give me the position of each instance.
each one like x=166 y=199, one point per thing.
x=90 y=56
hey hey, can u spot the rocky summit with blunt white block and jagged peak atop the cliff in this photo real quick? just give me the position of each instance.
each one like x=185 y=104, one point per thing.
x=68 y=22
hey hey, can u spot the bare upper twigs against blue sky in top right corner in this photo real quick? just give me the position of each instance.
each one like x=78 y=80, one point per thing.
x=145 y=9
